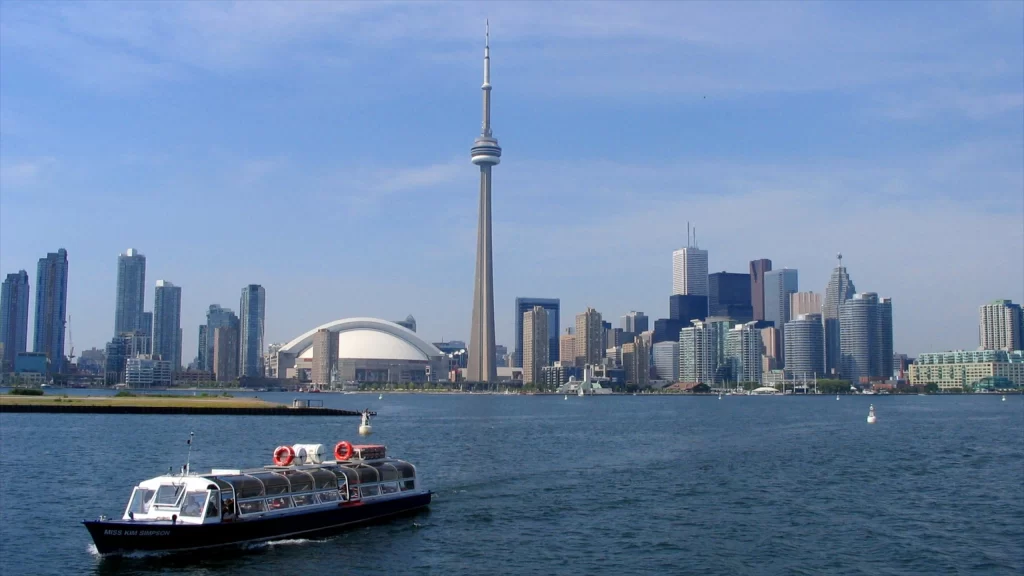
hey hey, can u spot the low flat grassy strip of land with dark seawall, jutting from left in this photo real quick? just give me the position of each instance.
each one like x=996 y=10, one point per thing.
x=144 y=404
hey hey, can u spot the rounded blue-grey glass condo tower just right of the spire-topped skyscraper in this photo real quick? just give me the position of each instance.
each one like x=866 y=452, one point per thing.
x=867 y=338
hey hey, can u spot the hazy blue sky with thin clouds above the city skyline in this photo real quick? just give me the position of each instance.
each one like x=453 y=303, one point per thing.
x=322 y=150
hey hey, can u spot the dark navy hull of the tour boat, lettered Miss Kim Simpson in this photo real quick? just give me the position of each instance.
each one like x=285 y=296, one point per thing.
x=124 y=537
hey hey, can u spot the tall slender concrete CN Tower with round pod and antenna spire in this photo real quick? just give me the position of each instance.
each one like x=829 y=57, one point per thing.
x=486 y=154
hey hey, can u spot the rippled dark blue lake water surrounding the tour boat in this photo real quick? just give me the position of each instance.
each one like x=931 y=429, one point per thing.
x=540 y=485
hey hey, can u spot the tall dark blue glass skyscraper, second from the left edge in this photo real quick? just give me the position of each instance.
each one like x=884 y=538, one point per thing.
x=52 y=308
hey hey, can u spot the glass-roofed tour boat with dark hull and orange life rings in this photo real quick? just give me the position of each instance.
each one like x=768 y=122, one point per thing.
x=298 y=497
